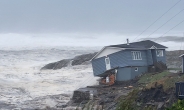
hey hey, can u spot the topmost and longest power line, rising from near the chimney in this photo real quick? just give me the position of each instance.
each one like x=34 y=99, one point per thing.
x=157 y=19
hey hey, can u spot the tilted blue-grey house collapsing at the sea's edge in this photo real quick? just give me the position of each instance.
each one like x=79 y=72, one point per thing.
x=126 y=61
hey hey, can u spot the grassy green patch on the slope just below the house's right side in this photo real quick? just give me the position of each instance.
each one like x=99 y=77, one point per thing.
x=149 y=78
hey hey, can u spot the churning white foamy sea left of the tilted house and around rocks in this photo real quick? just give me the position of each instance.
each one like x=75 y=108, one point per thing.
x=21 y=79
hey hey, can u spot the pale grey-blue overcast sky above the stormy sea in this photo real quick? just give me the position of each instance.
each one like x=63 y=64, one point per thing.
x=89 y=19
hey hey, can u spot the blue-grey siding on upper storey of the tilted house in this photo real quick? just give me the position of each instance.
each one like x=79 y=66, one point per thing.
x=122 y=59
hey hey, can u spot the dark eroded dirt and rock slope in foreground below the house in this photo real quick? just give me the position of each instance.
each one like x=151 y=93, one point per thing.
x=109 y=97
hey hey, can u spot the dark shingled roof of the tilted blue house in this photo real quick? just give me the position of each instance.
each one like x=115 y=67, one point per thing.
x=147 y=44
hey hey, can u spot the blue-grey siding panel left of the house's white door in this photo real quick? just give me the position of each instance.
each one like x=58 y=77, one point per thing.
x=99 y=66
